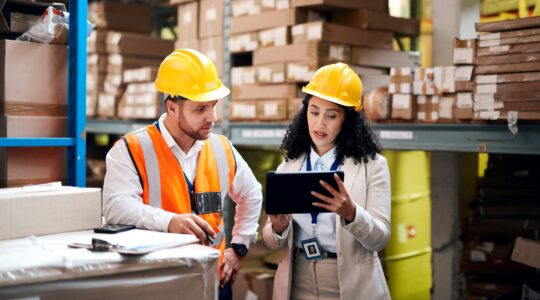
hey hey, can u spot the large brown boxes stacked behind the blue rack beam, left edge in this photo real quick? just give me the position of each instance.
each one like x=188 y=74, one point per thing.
x=33 y=104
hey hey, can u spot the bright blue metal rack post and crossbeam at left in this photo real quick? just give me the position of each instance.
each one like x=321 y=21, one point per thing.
x=76 y=140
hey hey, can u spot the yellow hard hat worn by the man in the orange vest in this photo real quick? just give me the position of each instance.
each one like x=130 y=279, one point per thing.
x=191 y=75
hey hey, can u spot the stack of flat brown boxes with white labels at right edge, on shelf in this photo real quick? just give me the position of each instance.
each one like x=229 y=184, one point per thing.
x=508 y=70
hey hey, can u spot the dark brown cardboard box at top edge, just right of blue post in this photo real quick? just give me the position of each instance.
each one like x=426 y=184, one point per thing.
x=127 y=17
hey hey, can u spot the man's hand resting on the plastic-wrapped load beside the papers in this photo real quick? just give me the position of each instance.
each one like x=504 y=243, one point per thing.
x=192 y=224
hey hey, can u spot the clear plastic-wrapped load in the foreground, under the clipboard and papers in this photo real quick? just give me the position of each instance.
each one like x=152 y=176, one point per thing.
x=45 y=267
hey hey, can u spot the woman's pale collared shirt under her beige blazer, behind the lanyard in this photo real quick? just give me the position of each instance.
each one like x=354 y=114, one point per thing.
x=326 y=222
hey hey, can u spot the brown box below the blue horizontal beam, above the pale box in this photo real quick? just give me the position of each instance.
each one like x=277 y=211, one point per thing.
x=31 y=165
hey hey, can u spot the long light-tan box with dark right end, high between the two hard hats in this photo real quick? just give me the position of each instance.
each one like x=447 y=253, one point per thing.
x=267 y=20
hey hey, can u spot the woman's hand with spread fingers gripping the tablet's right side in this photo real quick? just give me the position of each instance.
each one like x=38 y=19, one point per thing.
x=340 y=203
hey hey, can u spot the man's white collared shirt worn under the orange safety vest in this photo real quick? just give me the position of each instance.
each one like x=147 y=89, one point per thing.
x=122 y=190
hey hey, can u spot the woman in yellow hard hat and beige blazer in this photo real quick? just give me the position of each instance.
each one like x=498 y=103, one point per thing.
x=334 y=255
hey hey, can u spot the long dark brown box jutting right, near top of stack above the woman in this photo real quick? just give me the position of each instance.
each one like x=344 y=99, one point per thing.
x=365 y=19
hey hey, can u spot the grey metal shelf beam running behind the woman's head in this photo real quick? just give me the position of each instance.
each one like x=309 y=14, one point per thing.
x=488 y=138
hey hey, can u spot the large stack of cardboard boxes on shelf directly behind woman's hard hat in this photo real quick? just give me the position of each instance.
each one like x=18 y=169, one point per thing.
x=287 y=41
